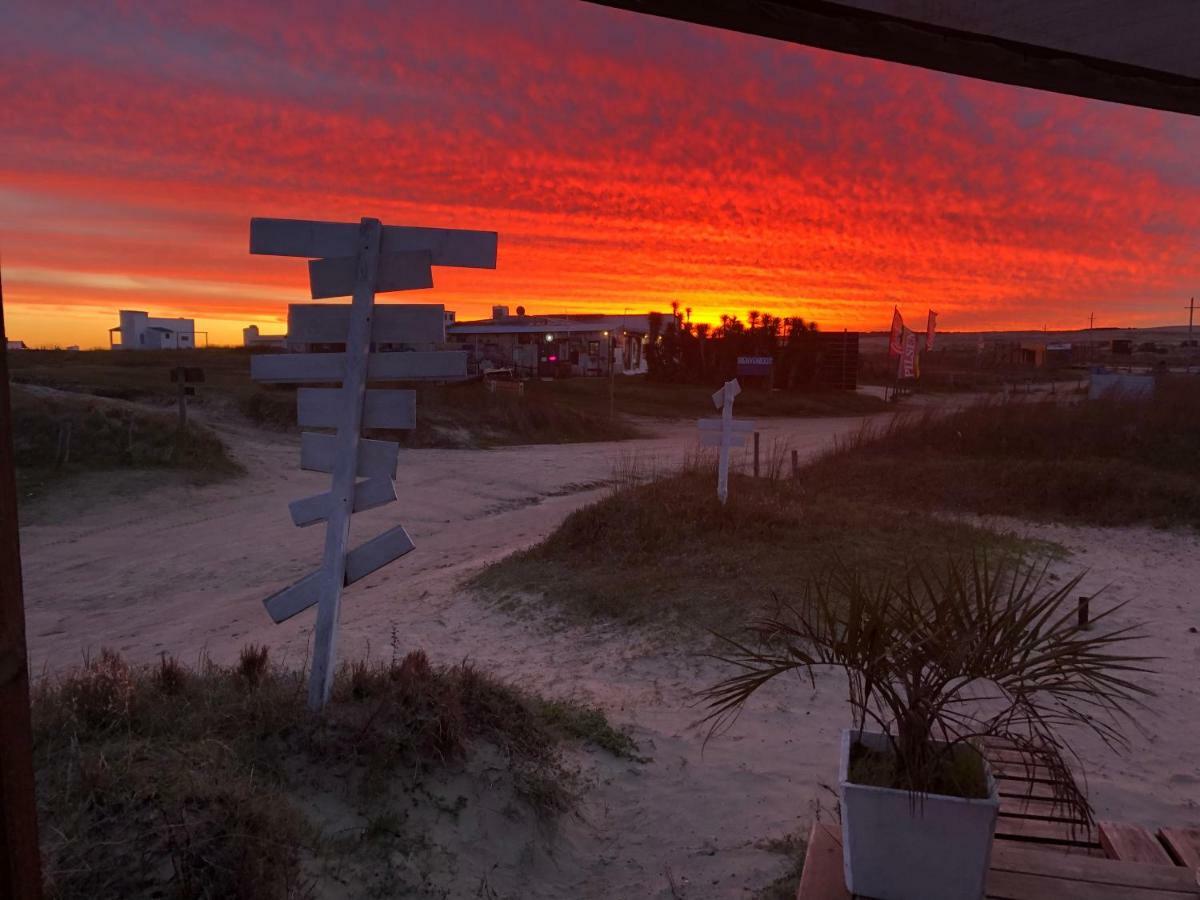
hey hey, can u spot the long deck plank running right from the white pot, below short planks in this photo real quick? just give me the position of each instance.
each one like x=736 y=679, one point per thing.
x=1031 y=860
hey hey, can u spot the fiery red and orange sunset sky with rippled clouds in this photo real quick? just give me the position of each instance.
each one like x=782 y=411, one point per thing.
x=626 y=161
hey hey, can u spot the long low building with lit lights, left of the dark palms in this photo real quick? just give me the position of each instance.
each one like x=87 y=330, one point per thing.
x=535 y=346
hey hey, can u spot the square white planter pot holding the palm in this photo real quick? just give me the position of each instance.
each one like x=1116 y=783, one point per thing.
x=899 y=849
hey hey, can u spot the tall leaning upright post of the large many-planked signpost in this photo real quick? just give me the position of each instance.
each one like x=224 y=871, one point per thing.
x=338 y=530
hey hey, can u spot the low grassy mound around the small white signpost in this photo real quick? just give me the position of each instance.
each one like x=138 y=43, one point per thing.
x=667 y=550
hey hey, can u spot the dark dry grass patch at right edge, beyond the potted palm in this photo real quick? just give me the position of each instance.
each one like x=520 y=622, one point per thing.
x=1106 y=463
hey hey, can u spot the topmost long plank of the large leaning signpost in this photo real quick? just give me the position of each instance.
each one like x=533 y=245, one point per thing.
x=304 y=238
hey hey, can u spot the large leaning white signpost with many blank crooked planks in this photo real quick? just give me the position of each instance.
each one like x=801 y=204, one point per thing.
x=357 y=261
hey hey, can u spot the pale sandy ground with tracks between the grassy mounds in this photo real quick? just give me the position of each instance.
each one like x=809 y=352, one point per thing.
x=184 y=569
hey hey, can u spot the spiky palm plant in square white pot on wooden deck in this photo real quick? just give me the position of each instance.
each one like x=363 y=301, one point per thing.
x=937 y=664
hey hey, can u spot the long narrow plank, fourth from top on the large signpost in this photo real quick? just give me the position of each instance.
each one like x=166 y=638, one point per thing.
x=322 y=368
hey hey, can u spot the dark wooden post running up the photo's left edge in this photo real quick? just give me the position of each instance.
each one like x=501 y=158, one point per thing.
x=21 y=866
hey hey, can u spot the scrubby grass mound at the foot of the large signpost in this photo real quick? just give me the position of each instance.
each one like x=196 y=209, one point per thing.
x=169 y=782
